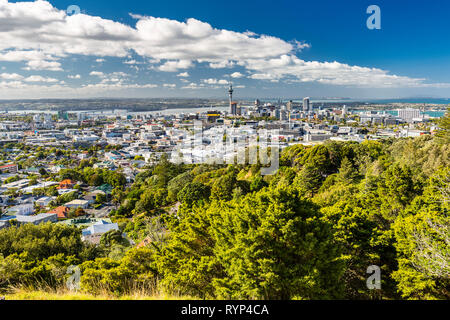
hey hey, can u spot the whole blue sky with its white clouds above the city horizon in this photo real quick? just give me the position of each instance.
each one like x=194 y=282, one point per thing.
x=286 y=49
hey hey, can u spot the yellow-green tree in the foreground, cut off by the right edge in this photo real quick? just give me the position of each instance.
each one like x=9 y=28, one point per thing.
x=422 y=236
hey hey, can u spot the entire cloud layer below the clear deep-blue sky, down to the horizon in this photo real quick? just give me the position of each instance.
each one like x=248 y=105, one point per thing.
x=38 y=44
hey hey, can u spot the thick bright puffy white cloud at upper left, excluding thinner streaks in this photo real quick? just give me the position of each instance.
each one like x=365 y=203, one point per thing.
x=38 y=27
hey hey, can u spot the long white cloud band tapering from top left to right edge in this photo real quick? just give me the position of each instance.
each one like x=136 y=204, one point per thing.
x=40 y=36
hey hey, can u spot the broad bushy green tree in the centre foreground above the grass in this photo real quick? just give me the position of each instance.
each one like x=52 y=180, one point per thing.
x=270 y=245
